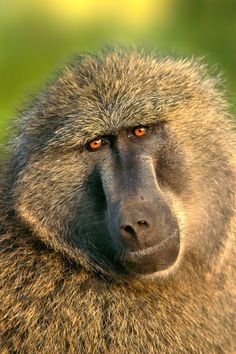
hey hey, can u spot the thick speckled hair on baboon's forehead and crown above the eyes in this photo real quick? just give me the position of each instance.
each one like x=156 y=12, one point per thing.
x=95 y=96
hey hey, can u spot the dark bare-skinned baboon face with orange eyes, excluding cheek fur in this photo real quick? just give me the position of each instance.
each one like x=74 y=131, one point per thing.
x=135 y=218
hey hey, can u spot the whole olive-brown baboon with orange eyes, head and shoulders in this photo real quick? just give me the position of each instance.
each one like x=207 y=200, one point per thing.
x=117 y=212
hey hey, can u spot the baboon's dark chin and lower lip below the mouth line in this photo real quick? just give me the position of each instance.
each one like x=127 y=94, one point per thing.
x=153 y=259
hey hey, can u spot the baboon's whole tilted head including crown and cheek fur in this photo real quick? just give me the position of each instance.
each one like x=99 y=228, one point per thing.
x=123 y=164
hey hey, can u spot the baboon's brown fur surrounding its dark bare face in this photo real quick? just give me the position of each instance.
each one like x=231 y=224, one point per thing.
x=54 y=299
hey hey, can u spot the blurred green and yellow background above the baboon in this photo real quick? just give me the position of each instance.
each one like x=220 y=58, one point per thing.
x=35 y=36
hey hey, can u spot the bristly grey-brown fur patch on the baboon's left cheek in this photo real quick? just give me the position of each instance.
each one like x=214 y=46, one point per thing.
x=49 y=189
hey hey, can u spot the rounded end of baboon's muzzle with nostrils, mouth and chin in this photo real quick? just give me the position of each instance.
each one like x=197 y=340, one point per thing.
x=149 y=235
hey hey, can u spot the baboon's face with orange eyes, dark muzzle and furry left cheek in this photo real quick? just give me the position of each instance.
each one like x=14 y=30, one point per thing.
x=109 y=198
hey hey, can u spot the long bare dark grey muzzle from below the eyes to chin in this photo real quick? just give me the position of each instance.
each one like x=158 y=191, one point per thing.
x=139 y=220
